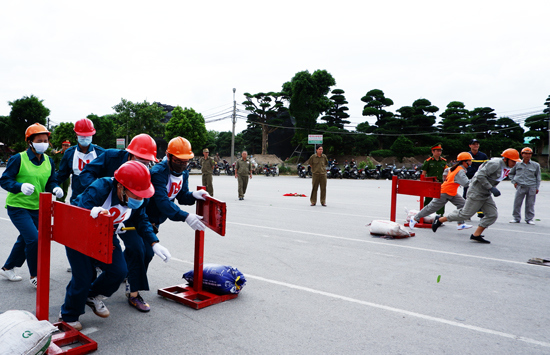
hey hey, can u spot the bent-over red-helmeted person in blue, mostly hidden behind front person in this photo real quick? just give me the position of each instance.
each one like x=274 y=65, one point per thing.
x=142 y=148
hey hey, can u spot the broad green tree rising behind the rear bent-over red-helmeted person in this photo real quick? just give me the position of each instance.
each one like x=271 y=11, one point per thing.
x=137 y=118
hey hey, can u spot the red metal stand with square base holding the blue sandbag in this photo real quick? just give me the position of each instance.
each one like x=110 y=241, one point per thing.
x=213 y=212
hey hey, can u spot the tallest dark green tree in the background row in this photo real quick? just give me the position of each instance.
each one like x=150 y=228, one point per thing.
x=307 y=93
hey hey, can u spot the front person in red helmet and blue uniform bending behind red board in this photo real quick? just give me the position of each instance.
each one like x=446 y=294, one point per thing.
x=123 y=197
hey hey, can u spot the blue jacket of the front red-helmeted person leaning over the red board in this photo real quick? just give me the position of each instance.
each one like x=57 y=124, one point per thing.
x=95 y=196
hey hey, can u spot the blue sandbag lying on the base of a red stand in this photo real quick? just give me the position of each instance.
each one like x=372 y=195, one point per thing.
x=219 y=279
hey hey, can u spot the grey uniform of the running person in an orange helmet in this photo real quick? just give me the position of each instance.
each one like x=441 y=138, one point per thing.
x=490 y=174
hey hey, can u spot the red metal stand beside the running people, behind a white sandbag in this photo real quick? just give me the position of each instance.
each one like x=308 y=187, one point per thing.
x=426 y=187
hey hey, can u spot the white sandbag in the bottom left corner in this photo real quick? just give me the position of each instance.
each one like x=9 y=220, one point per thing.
x=22 y=333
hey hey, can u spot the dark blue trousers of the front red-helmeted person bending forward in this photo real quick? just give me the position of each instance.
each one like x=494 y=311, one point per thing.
x=84 y=283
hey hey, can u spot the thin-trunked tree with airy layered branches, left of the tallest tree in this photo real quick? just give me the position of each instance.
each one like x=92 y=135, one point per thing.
x=265 y=111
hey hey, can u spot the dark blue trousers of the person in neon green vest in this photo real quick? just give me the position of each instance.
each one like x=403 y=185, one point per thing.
x=26 y=246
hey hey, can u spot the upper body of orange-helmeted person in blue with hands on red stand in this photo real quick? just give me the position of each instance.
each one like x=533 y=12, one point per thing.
x=170 y=179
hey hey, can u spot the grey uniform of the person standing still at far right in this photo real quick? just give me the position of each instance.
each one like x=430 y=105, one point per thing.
x=527 y=176
